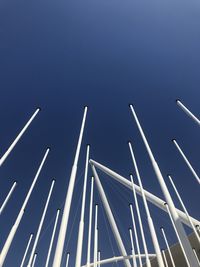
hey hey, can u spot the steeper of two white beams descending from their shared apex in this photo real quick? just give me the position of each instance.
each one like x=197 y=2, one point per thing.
x=110 y=217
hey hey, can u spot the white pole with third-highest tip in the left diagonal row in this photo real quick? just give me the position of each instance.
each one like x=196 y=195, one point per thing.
x=40 y=225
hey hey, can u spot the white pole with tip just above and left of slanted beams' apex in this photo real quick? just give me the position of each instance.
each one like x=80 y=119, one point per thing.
x=81 y=223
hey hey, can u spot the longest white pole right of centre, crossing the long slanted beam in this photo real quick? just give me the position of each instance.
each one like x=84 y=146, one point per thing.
x=175 y=216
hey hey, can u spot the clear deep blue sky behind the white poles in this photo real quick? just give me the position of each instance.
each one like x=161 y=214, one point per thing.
x=61 y=55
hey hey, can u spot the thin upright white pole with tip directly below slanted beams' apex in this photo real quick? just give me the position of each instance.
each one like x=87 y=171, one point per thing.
x=90 y=222
